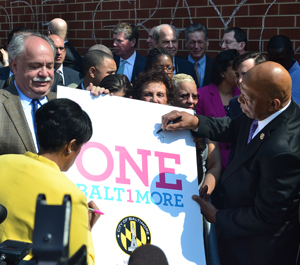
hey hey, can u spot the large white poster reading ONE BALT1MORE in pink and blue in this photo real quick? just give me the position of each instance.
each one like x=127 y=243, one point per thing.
x=141 y=180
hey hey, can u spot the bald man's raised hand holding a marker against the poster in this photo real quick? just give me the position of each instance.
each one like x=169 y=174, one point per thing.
x=187 y=122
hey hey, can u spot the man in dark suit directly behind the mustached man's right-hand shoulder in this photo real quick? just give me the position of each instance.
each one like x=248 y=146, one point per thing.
x=69 y=75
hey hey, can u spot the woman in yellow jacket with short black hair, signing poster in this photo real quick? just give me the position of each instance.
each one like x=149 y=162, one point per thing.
x=62 y=128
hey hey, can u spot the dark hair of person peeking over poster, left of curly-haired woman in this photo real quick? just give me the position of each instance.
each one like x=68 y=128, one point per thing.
x=117 y=82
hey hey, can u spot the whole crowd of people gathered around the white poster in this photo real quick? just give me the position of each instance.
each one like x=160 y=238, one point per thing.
x=245 y=131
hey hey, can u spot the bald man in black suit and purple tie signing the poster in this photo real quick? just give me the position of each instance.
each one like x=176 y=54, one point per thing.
x=258 y=223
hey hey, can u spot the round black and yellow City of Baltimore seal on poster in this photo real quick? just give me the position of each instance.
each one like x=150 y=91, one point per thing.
x=132 y=232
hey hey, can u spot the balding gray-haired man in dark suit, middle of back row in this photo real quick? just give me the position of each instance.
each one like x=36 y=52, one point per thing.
x=166 y=36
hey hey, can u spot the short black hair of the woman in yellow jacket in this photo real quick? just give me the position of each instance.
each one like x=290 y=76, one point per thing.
x=59 y=121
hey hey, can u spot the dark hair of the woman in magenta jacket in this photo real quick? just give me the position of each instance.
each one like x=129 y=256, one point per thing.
x=220 y=64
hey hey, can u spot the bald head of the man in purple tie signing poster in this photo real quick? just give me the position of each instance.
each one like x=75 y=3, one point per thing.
x=265 y=89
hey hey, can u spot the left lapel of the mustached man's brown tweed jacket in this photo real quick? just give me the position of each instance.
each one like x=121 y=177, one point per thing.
x=16 y=114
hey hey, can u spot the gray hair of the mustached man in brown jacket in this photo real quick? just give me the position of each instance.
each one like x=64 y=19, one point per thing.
x=17 y=44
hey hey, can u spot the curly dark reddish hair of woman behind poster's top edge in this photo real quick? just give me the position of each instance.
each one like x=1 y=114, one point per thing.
x=153 y=76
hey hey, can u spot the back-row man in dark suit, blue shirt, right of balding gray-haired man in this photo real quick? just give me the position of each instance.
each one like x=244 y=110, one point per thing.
x=196 y=40
